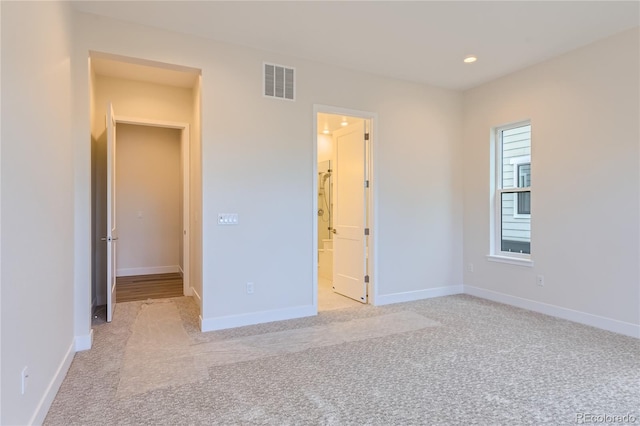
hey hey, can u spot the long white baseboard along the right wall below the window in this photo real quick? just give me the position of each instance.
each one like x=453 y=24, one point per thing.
x=604 y=323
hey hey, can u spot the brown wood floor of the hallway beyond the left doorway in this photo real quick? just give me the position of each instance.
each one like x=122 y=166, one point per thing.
x=143 y=287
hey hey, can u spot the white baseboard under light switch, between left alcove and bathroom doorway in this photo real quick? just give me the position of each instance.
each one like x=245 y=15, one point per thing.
x=231 y=321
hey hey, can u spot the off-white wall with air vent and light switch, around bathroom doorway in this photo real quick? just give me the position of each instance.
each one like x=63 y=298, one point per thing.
x=257 y=161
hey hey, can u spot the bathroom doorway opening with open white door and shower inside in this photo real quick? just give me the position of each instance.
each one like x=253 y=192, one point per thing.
x=343 y=213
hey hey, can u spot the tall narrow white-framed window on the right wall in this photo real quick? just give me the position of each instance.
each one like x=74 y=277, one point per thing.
x=512 y=195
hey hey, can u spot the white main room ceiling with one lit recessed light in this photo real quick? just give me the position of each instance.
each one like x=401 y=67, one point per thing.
x=421 y=41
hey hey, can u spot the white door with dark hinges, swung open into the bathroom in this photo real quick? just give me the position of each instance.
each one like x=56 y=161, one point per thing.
x=349 y=261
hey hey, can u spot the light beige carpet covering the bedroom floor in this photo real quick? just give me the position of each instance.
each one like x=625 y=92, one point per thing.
x=451 y=360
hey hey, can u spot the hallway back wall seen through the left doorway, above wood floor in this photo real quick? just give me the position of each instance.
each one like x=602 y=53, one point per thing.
x=149 y=200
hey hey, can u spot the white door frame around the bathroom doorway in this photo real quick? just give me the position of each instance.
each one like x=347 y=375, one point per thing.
x=372 y=207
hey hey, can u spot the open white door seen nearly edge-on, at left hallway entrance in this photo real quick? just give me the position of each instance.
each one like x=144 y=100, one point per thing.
x=112 y=235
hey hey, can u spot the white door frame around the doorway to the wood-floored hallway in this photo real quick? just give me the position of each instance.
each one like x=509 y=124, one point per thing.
x=185 y=159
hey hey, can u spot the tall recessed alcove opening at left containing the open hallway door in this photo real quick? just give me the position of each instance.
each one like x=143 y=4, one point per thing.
x=153 y=162
